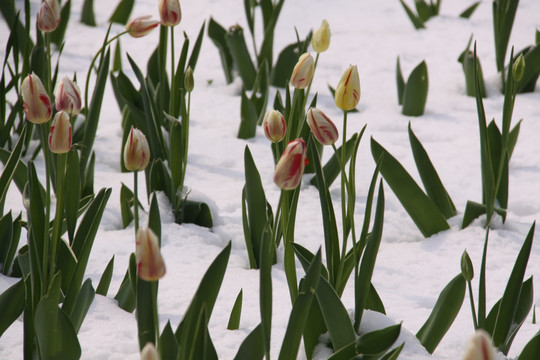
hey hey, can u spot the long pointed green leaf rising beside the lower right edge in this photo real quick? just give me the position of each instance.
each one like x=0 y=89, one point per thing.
x=510 y=298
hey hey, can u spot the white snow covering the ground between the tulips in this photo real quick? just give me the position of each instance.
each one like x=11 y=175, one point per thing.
x=410 y=271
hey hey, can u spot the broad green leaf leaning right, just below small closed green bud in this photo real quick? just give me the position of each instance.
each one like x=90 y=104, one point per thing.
x=443 y=315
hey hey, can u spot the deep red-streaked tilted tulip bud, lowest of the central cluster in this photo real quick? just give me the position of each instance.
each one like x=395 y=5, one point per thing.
x=290 y=167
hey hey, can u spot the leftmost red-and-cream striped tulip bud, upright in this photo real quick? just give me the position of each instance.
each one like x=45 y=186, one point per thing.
x=36 y=102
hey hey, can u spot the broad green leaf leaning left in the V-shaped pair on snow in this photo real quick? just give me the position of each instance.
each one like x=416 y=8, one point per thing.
x=418 y=205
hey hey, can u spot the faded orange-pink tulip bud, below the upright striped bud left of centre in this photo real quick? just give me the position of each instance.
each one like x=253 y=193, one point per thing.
x=150 y=265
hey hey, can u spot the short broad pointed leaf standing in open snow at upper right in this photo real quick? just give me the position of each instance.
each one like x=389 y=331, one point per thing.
x=415 y=92
